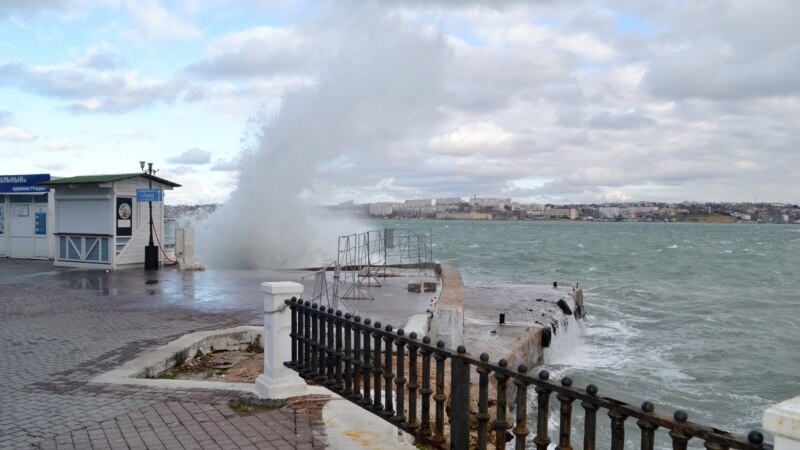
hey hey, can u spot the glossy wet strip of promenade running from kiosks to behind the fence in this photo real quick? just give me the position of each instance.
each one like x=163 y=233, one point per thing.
x=221 y=290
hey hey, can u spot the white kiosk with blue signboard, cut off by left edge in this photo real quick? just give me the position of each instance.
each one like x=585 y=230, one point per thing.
x=26 y=217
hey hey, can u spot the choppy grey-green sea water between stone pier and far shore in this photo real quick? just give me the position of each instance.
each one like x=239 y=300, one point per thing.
x=701 y=317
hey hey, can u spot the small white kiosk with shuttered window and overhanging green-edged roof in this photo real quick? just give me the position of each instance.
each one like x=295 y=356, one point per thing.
x=100 y=224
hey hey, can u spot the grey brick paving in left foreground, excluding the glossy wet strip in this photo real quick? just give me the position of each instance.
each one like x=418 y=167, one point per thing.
x=55 y=335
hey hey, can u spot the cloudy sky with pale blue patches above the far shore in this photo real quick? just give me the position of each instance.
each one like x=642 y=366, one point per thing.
x=548 y=101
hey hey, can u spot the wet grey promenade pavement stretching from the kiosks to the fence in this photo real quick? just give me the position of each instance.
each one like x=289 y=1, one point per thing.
x=60 y=327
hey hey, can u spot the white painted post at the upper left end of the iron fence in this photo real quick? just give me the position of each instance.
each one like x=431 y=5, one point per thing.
x=278 y=381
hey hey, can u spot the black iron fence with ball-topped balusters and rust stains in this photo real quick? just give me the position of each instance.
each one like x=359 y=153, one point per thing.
x=395 y=376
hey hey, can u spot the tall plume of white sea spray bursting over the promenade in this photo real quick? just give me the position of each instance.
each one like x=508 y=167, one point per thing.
x=379 y=85
